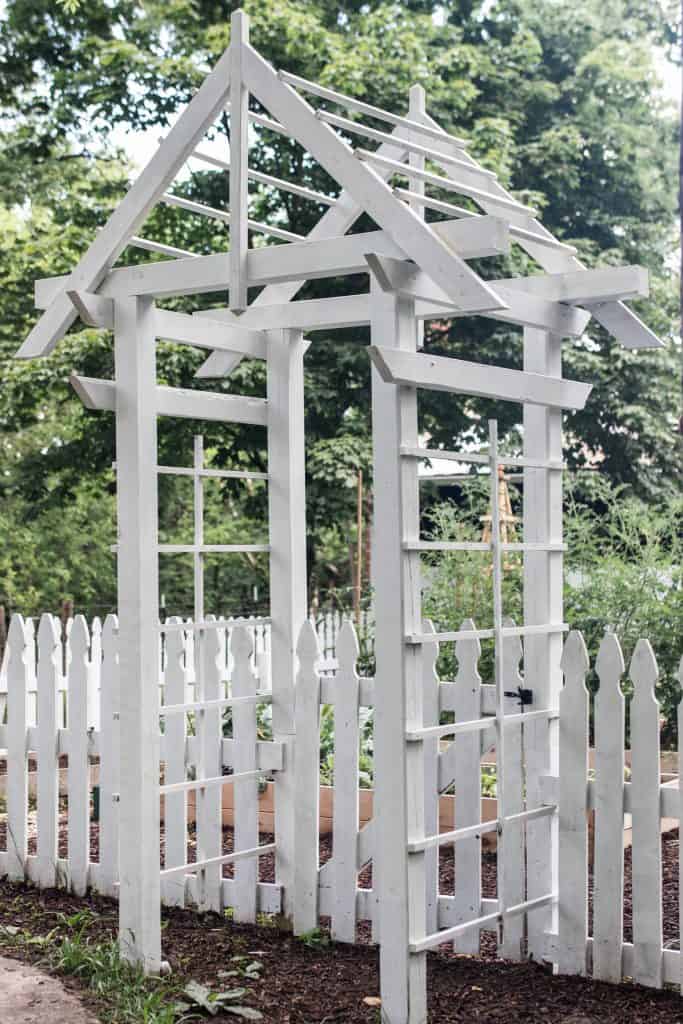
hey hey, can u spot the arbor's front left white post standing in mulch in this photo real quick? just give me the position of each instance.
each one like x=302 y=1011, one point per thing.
x=140 y=926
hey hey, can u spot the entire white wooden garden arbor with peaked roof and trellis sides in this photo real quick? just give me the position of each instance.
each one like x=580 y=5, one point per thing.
x=418 y=271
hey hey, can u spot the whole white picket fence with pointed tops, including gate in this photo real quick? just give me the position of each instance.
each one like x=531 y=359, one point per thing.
x=51 y=714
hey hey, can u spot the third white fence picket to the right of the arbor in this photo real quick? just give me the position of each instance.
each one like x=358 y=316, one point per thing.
x=647 y=855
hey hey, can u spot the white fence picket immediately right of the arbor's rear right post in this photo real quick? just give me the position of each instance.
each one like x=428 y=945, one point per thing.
x=573 y=804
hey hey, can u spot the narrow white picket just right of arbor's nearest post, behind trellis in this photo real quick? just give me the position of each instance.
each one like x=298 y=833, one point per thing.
x=431 y=712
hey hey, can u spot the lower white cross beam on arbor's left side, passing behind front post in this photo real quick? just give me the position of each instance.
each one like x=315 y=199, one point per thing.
x=101 y=395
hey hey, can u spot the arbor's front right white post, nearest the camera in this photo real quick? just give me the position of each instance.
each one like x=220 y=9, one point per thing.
x=400 y=815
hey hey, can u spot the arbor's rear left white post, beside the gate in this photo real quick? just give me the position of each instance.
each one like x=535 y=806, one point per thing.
x=287 y=526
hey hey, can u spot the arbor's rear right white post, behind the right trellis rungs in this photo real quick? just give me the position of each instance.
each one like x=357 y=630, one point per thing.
x=543 y=605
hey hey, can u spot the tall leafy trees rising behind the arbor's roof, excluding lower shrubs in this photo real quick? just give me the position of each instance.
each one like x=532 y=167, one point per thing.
x=562 y=103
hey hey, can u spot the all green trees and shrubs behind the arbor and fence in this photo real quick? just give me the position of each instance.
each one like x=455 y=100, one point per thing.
x=563 y=102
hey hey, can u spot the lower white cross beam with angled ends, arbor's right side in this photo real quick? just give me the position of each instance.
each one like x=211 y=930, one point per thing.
x=440 y=373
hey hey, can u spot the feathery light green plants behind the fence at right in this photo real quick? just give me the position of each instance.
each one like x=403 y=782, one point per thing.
x=623 y=572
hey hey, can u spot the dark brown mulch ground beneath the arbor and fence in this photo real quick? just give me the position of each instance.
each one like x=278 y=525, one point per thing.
x=322 y=983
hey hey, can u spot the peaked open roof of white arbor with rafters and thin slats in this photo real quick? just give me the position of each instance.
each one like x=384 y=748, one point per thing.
x=363 y=178
